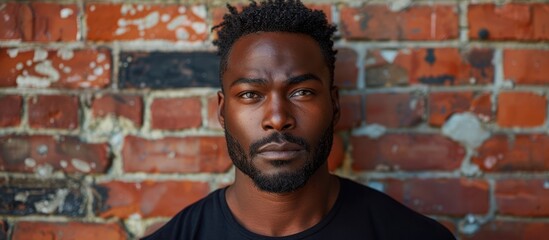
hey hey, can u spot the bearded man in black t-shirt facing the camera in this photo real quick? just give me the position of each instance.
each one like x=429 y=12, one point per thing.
x=278 y=106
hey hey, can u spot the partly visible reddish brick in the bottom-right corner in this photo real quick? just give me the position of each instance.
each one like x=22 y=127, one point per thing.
x=509 y=230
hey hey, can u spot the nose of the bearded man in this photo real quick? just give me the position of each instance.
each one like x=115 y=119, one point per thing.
x=277 y=115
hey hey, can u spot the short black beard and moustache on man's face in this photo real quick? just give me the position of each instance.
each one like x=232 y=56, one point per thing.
x=286 y=181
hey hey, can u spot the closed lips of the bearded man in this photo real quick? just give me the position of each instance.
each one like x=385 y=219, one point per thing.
x=280 y=151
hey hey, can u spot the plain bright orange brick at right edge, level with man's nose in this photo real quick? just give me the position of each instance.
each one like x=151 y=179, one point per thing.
x=521 y=109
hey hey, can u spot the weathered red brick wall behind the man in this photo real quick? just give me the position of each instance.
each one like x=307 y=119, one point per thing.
x=108 y=125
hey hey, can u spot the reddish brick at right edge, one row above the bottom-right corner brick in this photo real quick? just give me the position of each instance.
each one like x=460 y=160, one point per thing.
x=521 y=197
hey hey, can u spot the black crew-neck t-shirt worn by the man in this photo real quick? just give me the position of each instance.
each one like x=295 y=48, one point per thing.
x=359 y=212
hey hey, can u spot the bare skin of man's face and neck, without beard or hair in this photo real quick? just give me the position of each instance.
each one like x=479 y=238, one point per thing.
x=278 y=82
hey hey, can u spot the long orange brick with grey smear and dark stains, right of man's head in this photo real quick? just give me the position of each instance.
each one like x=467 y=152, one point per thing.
x=432 y=66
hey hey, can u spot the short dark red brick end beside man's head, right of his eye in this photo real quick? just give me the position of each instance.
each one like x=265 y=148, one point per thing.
x=346 y=70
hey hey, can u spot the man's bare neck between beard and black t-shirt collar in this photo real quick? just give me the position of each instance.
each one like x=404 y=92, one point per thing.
x=272 y=214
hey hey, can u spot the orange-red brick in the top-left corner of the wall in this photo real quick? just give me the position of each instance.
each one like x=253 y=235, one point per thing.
x=41 y=22
